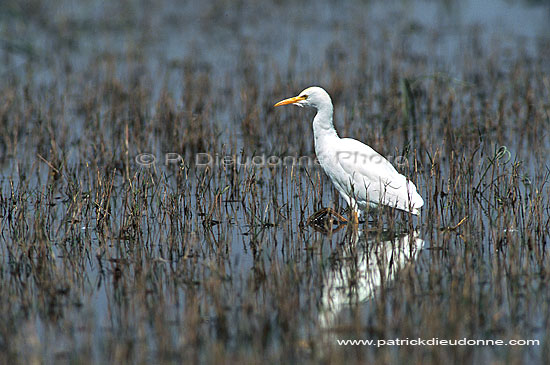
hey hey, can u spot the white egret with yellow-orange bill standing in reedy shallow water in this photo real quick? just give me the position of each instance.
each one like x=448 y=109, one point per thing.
x=360 y=174
